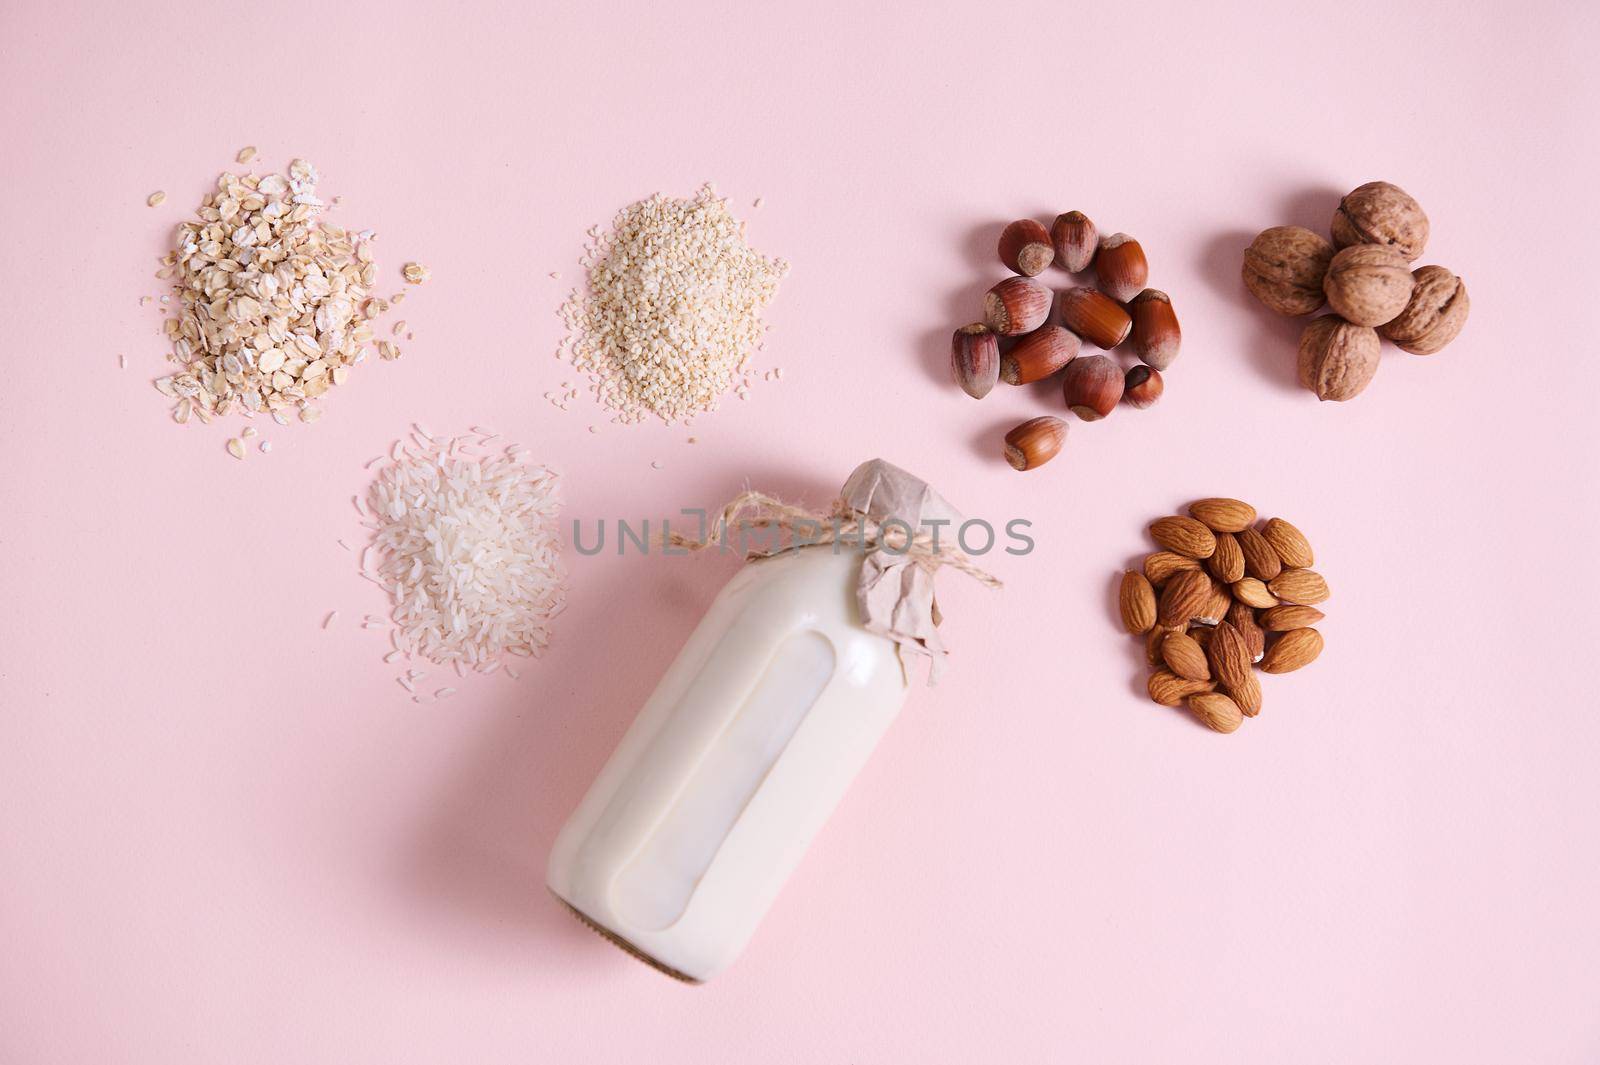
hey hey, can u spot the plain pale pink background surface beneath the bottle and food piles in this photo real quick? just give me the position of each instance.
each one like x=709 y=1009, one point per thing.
x=226 y=834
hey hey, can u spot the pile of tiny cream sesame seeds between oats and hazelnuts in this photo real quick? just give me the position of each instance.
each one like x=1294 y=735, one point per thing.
x=673 y=311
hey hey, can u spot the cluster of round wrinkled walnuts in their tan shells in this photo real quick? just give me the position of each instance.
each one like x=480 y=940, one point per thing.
x=1366 y=277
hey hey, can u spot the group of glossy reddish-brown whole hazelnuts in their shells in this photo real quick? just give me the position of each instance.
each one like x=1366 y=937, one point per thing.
x=1031 y=333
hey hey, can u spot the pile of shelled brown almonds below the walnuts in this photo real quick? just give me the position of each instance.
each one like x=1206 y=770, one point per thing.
x=1218 y=599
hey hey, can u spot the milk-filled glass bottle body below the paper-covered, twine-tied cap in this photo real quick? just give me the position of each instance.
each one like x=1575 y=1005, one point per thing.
x=732 y=767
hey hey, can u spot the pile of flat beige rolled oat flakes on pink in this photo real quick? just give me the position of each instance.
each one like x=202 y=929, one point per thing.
x=273 y=306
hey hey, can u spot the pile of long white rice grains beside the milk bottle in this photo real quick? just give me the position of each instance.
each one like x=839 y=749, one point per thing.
x=466 y=544
